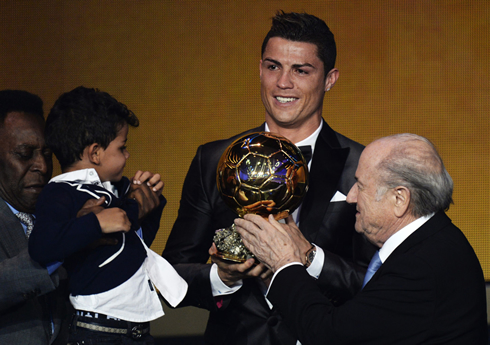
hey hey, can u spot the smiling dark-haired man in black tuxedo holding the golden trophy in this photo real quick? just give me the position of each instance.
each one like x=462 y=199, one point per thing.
x=297 y=68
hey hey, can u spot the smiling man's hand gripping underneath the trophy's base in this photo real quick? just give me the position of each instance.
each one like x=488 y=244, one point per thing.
x=231 y=272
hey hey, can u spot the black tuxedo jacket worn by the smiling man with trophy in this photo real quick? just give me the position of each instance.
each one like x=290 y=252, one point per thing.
x=245 y=317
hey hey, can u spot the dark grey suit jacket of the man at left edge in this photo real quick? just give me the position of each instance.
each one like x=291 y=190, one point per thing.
x=28 y=298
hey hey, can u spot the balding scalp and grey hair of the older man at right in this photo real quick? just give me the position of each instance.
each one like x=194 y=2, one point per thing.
x=415 y=164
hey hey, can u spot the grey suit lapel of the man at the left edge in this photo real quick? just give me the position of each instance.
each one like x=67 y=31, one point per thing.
x=13 y=239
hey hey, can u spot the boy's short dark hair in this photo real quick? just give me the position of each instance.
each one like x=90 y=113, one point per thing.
x=82 y=117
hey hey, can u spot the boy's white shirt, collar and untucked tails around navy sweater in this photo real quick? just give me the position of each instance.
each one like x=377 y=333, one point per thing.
x=134 y=300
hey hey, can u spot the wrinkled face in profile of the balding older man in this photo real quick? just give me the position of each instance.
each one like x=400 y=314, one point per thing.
x=375 y=218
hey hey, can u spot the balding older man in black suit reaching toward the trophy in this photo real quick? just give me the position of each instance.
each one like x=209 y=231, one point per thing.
x=427 y=286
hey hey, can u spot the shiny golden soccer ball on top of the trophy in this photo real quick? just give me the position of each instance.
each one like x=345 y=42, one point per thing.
x=262 y=173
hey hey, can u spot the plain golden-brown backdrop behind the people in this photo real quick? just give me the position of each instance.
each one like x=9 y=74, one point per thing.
x=189 y=70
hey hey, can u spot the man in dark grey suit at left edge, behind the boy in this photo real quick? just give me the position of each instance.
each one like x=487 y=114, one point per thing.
x=31 y=309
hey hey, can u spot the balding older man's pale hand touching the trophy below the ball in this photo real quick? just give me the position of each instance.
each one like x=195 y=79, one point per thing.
x=270 y=241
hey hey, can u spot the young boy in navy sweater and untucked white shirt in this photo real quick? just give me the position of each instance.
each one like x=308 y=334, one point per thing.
x=104 y=248
